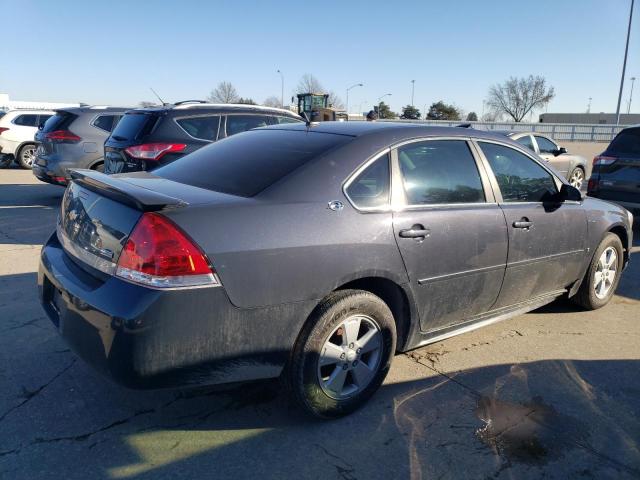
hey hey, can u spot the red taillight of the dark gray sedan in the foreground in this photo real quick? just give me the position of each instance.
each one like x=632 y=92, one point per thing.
x=159 y=254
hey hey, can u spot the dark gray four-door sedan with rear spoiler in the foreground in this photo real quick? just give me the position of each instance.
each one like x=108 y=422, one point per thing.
x=317 y=252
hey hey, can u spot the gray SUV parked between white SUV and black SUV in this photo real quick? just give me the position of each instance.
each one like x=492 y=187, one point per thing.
x=73 y=138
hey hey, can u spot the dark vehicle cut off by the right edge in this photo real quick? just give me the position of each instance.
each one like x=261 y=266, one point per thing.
x=616 y=171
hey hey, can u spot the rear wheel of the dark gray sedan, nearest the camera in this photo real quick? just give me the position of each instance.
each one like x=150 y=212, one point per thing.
x=343 y=354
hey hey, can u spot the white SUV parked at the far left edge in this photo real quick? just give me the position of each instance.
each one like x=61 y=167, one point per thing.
x=17 y=129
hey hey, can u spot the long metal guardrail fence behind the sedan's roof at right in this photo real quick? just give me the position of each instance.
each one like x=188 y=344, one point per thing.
x=558 y=131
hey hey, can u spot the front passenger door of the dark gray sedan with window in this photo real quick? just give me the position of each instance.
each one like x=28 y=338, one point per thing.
x=546 y=237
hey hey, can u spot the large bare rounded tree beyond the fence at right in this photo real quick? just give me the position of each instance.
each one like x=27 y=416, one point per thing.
x=518 y=96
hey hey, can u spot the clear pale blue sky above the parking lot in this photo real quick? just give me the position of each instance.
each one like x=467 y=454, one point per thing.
x=110 y=52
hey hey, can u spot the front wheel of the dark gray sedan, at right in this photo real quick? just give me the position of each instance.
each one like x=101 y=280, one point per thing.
x=603 y=275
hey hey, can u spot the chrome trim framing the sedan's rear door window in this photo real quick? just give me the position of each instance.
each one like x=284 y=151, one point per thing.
x=400 y=203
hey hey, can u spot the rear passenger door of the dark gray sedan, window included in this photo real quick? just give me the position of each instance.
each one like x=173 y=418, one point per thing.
x=450 y=232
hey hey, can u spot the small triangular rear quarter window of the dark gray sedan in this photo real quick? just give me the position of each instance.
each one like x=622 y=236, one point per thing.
x=370 y=189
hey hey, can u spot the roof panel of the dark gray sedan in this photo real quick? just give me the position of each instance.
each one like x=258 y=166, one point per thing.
x=387 y=130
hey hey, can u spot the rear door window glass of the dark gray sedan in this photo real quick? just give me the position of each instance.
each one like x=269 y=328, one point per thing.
x=440 y=172
